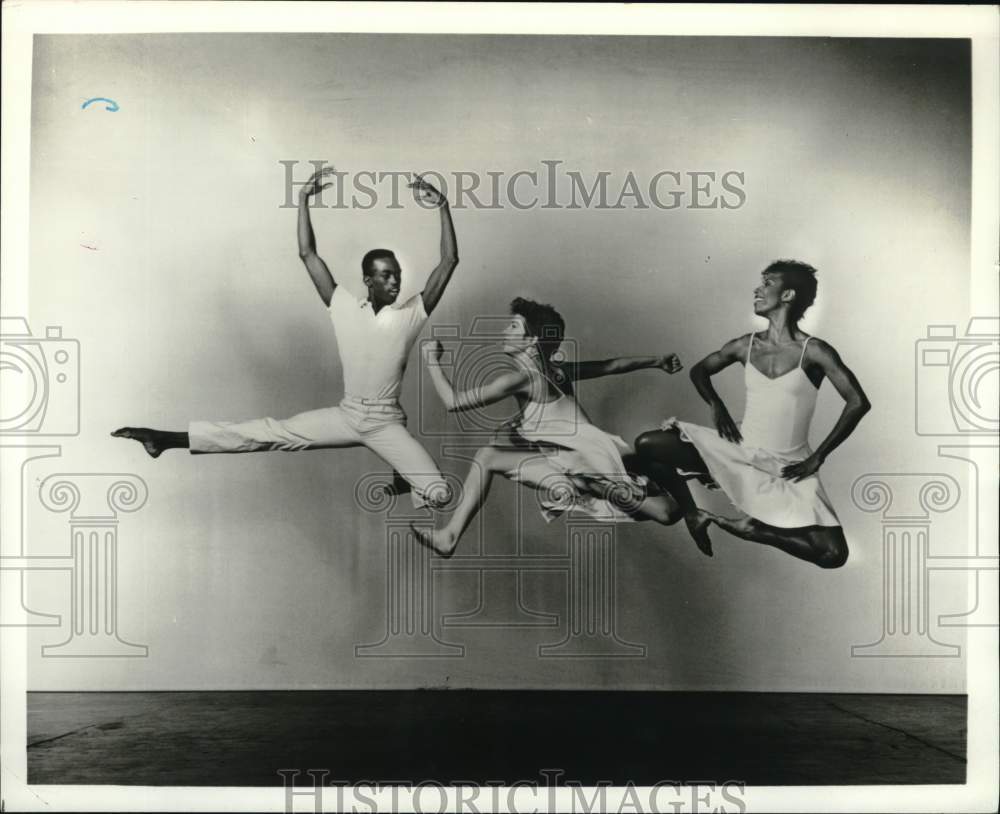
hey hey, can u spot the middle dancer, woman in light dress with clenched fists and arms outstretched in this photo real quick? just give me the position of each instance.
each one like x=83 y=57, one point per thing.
x=575 y=465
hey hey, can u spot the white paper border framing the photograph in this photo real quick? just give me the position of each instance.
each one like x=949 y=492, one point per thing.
x=21 y=20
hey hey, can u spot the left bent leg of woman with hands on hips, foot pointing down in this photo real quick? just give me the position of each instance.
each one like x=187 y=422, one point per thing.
x=661 y=453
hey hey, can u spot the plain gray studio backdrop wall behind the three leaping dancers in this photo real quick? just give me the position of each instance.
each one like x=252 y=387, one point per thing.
x=160 y=242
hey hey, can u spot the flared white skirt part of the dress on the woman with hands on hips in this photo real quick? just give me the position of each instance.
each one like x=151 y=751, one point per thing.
x=751 y=479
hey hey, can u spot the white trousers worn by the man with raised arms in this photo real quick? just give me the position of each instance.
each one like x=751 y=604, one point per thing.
x=379 y=424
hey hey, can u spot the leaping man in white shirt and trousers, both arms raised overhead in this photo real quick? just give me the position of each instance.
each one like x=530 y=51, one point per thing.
x=374 y=337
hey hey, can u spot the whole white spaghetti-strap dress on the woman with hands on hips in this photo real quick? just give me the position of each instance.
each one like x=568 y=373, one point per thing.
x=775 y=430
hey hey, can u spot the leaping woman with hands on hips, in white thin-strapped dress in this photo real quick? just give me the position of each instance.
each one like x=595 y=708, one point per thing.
x=765 y=466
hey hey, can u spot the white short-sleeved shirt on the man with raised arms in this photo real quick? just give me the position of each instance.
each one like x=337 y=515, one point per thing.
x=374 y=347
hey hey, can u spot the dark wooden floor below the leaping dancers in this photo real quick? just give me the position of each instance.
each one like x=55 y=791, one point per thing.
x=244 y=738
